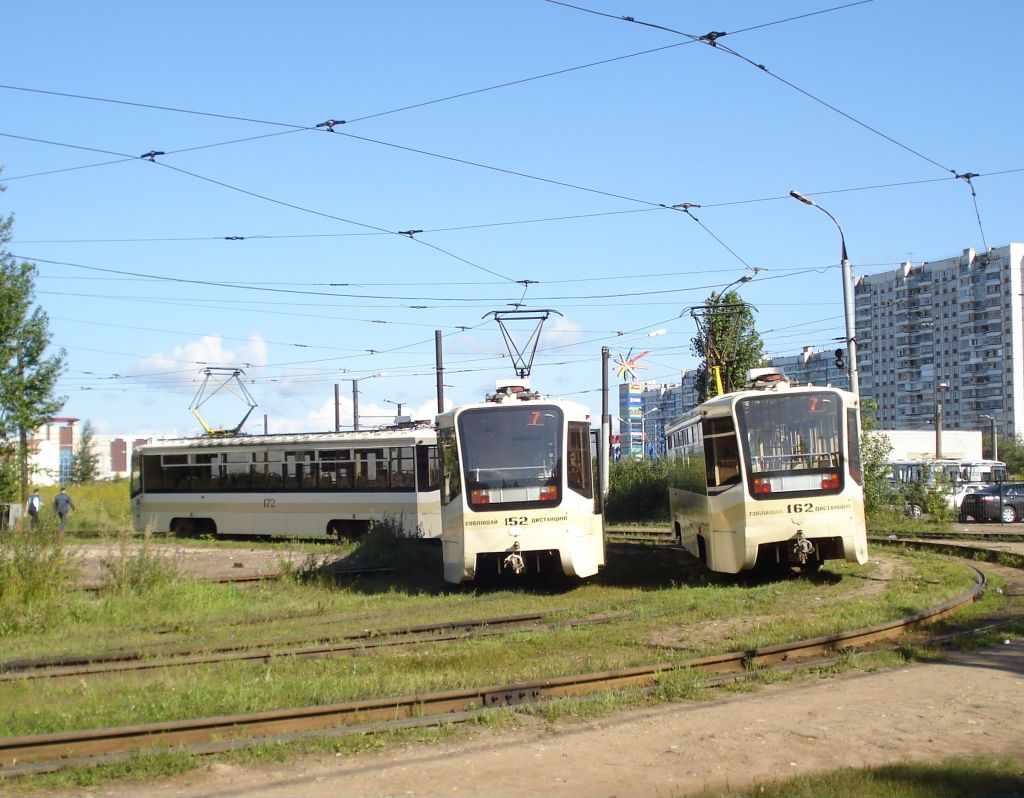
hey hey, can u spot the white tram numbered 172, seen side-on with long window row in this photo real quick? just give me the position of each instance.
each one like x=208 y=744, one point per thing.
x=315 y=485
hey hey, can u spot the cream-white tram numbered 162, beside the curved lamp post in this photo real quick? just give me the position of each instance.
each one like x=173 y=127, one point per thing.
x=770 y=477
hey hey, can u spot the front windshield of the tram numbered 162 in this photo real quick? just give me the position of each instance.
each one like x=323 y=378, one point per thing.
x=792 y=443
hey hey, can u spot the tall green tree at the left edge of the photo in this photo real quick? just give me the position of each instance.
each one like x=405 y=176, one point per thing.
x=28 y=375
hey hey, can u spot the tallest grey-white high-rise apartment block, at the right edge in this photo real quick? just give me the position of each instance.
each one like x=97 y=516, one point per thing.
x=945 y=338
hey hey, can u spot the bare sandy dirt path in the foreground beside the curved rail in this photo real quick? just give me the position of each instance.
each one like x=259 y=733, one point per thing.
x=969 y=705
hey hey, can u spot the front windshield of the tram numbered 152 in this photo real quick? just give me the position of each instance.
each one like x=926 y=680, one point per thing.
x=511 y=456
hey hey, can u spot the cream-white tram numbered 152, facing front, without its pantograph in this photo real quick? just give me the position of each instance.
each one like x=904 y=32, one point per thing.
x=518 y=490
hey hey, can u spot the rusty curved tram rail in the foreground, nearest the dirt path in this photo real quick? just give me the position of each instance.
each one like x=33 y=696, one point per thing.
x=51 y=752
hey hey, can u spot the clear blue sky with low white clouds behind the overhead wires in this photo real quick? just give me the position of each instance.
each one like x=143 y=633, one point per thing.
x=451 y=130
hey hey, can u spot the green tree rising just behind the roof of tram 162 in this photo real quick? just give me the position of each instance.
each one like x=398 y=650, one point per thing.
x=727 y=338
